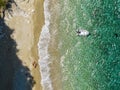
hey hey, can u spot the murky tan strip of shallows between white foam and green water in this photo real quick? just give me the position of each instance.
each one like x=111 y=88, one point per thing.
x=55 y=68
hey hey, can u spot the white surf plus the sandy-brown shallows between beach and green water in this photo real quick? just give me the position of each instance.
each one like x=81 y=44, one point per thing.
x=50 y=69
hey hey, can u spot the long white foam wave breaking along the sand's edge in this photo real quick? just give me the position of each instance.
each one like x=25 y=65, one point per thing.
x=43 y=51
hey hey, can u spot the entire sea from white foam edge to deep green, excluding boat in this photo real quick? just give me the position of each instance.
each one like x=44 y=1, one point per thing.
x=71 y=62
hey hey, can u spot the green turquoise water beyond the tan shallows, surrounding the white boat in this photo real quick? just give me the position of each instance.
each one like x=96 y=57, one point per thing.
x=88 y=62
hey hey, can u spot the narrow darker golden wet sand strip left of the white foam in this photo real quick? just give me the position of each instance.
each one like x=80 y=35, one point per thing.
x=37 y=29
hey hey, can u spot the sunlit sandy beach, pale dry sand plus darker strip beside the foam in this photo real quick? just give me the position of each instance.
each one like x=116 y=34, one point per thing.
x=26 y=20
